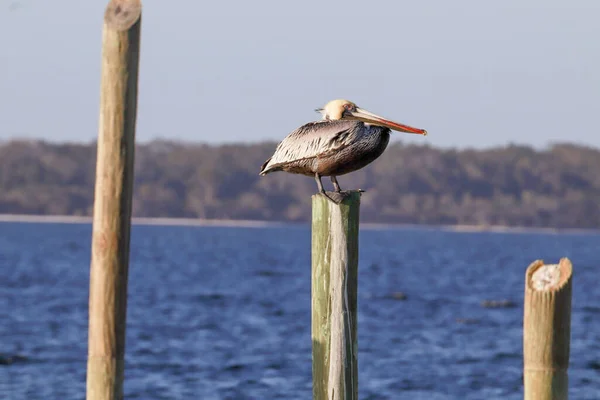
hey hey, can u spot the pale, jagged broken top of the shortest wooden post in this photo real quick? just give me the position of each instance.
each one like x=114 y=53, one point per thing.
x=548 y=277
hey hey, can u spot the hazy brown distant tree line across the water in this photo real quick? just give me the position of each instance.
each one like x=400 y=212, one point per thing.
x=513 y=185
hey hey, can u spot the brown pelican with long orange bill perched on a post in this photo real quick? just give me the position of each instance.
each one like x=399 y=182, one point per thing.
x=345 y=140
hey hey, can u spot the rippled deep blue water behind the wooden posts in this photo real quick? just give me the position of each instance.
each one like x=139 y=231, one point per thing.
x=224 y=313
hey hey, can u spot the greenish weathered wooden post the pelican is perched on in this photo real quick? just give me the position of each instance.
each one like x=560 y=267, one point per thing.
x=334 y=297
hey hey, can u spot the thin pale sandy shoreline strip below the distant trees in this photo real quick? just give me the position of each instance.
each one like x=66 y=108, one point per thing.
x=164 y=221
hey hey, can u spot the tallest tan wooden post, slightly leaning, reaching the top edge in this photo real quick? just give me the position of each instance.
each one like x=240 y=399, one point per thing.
x=112 y=200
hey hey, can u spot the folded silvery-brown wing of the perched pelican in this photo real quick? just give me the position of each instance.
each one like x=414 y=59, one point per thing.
x=312 y=140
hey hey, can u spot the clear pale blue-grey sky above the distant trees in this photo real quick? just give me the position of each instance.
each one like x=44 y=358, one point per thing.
x=475 y=74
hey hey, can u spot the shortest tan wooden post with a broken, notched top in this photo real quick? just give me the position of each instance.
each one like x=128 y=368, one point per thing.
x=547 y=330
